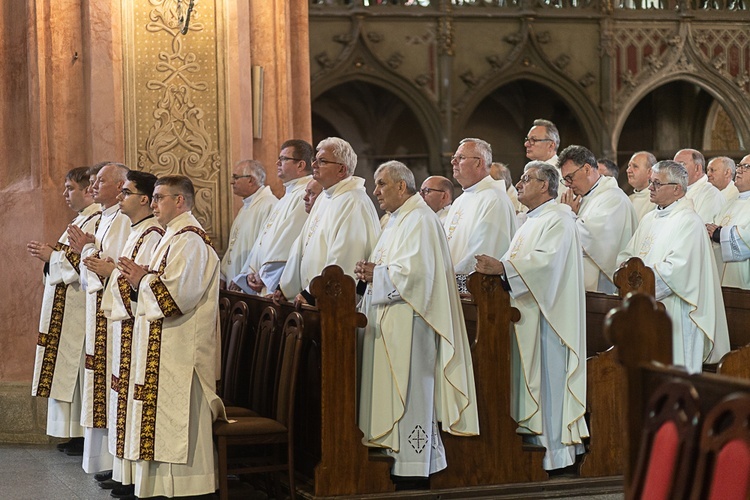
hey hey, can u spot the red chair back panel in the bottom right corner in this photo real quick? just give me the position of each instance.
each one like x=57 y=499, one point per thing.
x=731 y=472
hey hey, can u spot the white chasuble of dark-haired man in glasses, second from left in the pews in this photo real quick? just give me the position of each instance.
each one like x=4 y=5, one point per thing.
x=271 y=250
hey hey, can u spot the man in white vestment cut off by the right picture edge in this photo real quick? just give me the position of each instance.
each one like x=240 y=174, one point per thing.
x=730 y=232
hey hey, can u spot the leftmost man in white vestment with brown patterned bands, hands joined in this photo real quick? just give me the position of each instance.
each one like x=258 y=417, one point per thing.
x=58 y=367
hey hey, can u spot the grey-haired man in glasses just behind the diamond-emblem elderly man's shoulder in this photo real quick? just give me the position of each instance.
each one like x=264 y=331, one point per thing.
x=482 y=220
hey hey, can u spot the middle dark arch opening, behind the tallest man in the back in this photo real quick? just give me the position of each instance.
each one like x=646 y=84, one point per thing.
x=504 y=117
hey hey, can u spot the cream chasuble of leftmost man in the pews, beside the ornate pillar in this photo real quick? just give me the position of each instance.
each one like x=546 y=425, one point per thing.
x=245 y=230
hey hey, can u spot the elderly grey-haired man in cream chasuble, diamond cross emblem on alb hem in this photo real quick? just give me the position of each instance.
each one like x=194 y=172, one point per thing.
x=415 y=333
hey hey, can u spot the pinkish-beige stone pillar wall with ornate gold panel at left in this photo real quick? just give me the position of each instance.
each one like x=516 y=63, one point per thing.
x=91 y=80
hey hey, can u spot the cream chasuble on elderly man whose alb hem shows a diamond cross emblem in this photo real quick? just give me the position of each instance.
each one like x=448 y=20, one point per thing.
x=413 y=252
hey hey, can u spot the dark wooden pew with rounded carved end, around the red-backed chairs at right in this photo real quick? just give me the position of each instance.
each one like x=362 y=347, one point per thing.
x=642 y=335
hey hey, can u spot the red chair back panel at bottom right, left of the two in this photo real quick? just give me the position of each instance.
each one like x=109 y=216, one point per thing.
x=662 y=462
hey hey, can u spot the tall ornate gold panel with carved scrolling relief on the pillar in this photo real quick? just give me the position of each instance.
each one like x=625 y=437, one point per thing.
x=174 y=95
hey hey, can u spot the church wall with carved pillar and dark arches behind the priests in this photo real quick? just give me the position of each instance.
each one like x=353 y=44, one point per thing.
x=92 y=80
